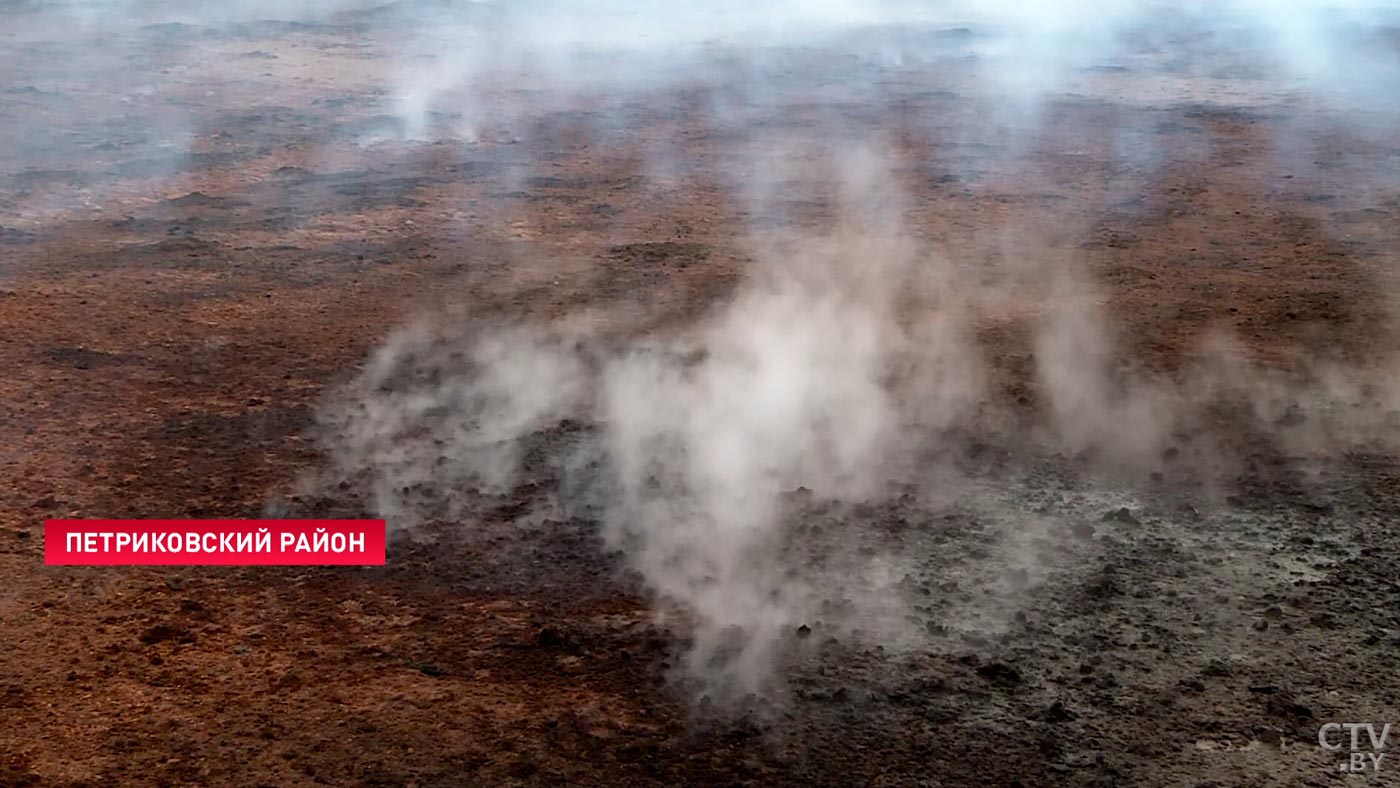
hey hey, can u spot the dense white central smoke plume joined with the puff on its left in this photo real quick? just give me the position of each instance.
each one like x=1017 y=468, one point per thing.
x=810 y=384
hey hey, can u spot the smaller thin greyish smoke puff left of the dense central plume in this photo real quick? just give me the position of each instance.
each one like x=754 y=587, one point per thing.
x=426 y=416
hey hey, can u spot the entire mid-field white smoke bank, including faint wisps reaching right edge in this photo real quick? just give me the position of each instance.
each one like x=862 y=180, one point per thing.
x=842 y=365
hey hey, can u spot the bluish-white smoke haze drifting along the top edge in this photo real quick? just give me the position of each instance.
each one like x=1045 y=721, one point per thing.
x=451 y=65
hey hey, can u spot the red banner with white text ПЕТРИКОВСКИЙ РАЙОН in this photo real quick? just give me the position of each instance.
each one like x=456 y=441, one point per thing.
x=213 y=542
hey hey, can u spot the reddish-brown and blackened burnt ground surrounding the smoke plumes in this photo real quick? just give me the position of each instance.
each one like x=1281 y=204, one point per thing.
x=170 y=323
